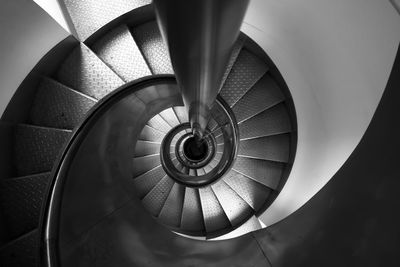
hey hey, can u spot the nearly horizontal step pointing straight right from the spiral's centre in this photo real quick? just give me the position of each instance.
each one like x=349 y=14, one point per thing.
x=274 y=148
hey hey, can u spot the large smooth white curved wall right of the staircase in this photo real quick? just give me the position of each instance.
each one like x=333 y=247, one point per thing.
x=336 y=58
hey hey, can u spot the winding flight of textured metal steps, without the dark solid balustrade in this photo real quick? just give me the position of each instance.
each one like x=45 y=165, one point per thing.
x=258 y=108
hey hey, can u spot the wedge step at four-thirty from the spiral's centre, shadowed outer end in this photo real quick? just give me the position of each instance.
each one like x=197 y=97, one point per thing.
x=255 y=194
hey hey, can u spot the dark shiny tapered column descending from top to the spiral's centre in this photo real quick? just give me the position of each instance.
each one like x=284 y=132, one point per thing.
x=200 y=35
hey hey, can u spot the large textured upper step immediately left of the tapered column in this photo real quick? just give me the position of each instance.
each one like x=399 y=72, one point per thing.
x=154 y=50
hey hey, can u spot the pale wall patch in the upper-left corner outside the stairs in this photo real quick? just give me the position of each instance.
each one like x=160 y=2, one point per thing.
x=27 y=34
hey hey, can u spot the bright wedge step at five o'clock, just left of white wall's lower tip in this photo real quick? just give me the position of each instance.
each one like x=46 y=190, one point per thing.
x=235 y=208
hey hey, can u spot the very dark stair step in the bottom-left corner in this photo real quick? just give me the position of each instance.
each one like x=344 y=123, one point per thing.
x=24 y=251
